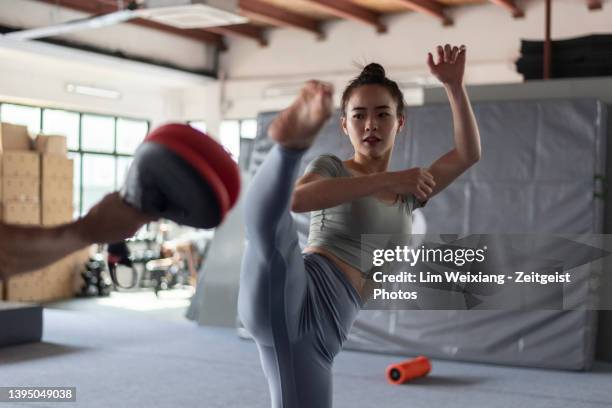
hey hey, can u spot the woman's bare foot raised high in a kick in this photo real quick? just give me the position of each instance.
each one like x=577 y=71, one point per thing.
x=297 y=126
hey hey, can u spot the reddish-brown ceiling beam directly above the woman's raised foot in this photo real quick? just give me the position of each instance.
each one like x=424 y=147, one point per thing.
x=258 y=10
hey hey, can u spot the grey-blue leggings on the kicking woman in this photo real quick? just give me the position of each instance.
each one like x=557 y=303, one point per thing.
x=299 y=308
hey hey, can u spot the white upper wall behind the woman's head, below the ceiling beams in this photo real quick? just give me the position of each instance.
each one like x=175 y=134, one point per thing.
x=490 y=33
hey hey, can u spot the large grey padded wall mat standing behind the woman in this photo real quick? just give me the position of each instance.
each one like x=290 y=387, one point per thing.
x=536 y=175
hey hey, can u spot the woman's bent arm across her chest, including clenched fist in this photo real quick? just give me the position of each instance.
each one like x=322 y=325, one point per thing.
x=315 y=192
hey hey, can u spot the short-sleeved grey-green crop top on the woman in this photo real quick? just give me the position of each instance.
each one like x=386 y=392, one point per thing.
x=339 y=229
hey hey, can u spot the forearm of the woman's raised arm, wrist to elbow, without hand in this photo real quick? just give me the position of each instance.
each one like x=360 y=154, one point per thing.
x=466 y=135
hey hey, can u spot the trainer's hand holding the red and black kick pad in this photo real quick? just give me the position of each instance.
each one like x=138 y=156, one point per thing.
x=111 y=220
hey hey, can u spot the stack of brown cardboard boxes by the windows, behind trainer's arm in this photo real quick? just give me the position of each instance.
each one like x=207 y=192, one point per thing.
x=36 y=189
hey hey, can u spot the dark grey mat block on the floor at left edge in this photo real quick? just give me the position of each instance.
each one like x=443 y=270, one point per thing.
x=20 y=323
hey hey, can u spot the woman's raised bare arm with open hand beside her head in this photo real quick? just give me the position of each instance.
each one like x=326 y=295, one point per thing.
x=449 y=70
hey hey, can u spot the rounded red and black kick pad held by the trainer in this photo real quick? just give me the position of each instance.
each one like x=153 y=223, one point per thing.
x=182 y=175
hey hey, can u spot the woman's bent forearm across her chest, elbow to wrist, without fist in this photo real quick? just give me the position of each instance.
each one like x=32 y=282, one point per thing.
x=330 y=192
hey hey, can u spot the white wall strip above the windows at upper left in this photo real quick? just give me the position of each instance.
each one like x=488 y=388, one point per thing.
x=37 y=74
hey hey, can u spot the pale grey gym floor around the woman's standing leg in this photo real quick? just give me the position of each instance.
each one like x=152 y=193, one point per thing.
x=129 y=359
